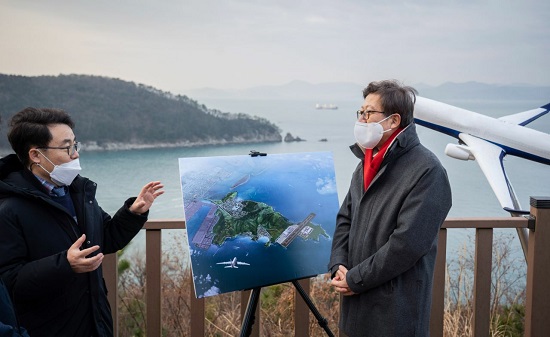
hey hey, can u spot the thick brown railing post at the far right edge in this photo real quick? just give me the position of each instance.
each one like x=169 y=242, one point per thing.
x=537 y=310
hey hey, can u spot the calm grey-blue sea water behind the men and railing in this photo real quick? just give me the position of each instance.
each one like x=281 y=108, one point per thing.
x=121 y=174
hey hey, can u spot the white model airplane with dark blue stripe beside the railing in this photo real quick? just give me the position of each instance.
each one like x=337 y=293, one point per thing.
x=487 y=140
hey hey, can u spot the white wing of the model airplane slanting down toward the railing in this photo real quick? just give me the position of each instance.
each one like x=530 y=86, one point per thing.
x=489 y=158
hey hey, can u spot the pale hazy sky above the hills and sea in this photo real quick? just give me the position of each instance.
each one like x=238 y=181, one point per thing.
x=176 y=45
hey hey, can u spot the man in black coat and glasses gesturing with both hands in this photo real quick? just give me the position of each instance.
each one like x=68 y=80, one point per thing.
x=53 y=234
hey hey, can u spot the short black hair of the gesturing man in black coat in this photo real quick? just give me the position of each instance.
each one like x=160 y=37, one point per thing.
x=29 y=127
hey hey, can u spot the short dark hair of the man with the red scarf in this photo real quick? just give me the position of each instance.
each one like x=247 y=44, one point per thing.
x=395 y=98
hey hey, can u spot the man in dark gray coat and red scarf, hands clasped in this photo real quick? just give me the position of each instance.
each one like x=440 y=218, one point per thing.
x=385 y=241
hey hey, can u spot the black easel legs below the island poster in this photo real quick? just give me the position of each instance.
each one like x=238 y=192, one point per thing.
x=250 y=314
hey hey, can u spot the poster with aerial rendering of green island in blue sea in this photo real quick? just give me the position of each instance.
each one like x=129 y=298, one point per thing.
x=254 y=221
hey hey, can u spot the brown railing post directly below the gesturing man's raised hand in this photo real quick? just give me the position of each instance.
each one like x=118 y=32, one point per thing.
x=153 y=281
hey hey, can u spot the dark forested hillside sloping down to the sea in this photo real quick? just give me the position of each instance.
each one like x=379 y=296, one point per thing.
x=111 y=113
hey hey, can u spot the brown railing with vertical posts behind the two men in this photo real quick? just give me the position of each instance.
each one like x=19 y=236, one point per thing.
x=537 y=313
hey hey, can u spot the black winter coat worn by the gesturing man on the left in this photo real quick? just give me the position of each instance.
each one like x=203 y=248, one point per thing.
x=35 y=233
